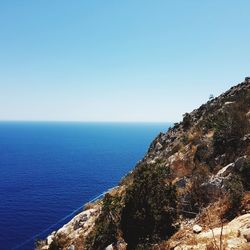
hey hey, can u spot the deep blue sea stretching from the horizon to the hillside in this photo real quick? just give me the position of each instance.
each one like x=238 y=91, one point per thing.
x=49 y=169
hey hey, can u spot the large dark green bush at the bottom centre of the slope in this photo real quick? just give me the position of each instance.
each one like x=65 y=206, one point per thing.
x=150 y=207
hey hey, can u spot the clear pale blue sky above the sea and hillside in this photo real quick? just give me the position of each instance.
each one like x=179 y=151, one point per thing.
x=133 y=60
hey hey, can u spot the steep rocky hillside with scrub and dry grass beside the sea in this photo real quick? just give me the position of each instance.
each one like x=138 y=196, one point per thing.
x=190 y=191
